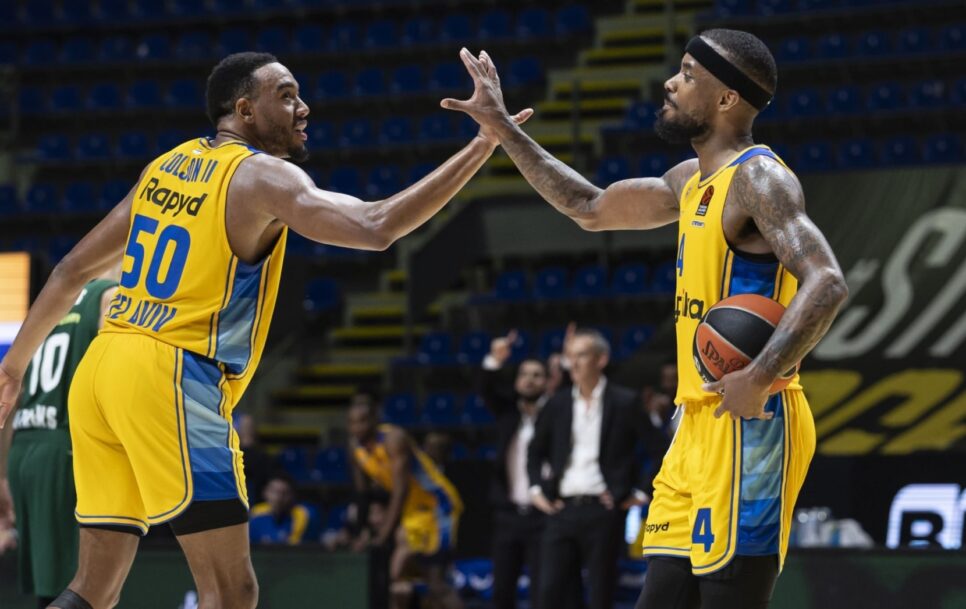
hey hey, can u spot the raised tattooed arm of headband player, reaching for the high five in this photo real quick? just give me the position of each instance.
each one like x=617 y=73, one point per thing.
x=640 y=203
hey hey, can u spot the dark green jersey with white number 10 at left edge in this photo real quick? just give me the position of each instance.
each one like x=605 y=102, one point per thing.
x=43 y=403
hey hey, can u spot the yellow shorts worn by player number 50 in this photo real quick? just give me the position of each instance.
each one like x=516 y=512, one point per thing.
x=151 y=430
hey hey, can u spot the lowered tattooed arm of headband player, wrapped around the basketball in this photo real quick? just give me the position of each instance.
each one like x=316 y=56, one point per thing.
x=772 y=198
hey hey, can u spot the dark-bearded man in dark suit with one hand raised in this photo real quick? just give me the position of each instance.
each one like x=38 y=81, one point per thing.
x=517 y=524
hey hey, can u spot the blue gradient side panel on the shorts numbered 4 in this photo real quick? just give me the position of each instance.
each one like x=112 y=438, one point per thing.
x=762 y=463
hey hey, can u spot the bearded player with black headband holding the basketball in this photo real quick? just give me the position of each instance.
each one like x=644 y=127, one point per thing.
x=717 y=527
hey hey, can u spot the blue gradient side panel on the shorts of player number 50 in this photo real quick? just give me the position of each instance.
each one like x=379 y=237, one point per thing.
x=208 y=431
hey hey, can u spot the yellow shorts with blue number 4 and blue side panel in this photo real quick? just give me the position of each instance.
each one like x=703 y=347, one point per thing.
x=727 y=487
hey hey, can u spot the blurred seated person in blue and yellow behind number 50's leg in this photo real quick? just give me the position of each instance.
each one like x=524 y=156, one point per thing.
x=281 y=519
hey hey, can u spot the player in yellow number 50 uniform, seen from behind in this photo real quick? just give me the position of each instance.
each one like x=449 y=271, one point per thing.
x=202 y=236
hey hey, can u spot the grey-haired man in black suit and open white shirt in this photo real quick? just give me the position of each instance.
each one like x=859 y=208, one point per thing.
x=588 y=436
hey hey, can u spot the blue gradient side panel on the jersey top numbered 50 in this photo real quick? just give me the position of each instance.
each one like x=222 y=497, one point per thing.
x=237 y=320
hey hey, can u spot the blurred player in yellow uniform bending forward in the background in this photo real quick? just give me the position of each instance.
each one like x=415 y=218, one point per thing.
x=424 y=507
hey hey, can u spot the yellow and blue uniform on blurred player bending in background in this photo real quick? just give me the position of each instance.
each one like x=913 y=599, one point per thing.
x=432 y=507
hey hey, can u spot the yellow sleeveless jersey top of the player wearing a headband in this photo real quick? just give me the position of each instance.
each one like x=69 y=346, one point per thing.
x=708 y=270
